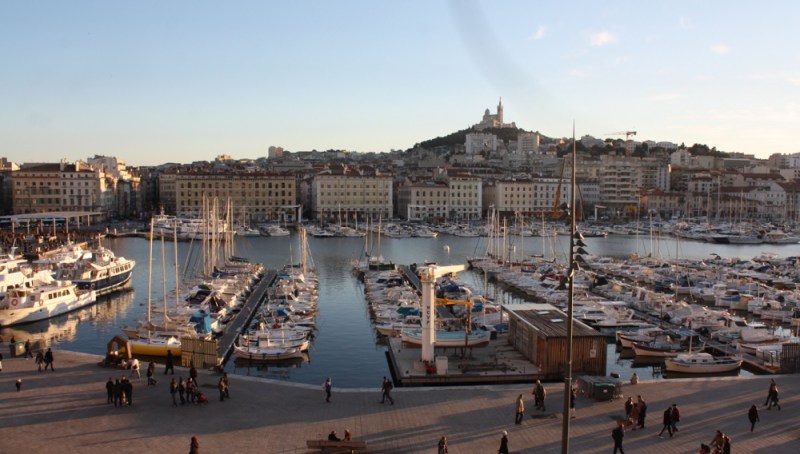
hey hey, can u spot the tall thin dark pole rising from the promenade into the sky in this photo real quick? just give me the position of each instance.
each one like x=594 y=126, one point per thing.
x=570 y=295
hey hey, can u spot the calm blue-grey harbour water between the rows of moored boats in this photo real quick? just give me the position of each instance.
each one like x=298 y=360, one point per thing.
x=346 y=346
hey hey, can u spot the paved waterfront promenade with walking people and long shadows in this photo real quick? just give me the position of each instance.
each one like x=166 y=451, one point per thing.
x=66 y=411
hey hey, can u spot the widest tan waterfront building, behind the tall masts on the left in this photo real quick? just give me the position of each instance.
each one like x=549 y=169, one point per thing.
x=254 y=196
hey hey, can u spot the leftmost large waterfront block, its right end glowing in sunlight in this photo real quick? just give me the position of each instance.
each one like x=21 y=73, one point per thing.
x=40 y=188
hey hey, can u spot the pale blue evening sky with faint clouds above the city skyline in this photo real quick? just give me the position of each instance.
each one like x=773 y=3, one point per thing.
x=179 y=81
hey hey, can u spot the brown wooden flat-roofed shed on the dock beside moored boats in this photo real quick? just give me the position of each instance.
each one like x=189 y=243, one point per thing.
x=539 y=332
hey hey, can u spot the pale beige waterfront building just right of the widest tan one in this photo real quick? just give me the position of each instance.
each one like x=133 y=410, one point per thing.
x=347 y=190
